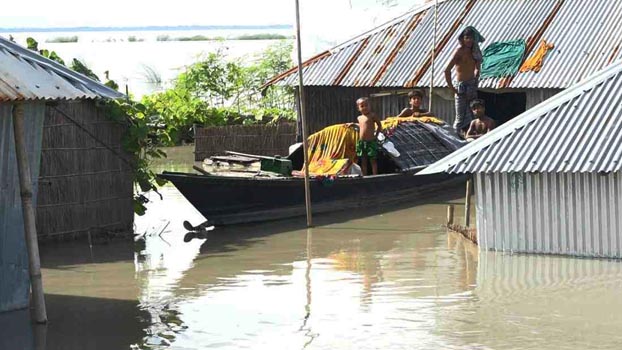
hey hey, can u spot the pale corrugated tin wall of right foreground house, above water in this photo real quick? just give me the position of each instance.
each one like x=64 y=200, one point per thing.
x=576 y=214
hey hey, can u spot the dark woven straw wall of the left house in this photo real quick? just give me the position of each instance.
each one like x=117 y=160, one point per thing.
x=84 y=184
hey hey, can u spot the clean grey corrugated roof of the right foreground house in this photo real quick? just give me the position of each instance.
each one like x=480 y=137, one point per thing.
x=577 y=130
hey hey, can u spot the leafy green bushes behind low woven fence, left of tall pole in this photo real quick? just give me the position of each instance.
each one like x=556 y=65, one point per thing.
x=219 y=91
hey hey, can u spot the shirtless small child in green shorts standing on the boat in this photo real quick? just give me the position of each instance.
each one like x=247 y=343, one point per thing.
x=367 y=146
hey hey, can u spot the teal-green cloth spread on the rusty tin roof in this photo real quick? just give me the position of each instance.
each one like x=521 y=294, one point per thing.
x=502 y=59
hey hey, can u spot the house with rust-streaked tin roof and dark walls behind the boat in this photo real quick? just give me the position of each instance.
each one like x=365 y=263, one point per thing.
x=393 y=58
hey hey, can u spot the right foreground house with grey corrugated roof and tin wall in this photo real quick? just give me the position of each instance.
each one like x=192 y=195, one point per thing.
x=550 y=180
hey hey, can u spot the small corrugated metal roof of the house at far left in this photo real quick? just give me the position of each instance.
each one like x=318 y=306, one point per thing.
x=26 y=75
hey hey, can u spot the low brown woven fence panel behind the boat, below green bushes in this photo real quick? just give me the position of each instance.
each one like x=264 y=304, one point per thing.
x=267 y=140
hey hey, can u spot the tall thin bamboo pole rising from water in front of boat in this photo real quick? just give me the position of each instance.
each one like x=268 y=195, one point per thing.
x=303 y=122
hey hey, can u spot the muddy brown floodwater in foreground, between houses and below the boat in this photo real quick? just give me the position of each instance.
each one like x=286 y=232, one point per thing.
x=367 y=280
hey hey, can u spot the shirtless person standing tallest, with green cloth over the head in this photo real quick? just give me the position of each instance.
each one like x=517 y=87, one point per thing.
x=468 y=61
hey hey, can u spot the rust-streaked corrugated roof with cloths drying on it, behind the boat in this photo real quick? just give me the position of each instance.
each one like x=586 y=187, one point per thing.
x=587 y=35
